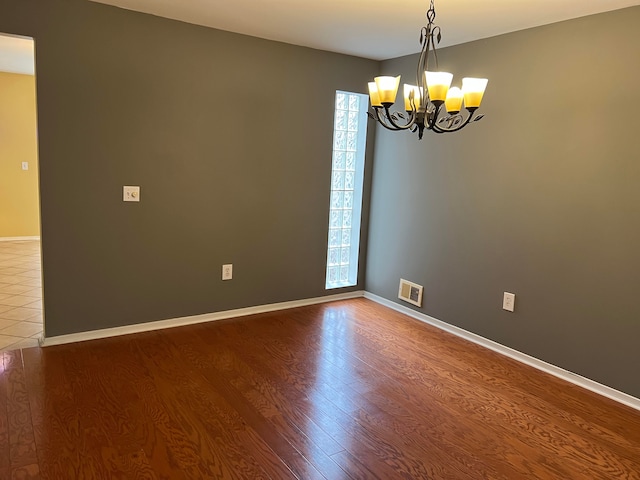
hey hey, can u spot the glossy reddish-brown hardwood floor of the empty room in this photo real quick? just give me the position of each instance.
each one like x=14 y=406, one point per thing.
x=347 y=390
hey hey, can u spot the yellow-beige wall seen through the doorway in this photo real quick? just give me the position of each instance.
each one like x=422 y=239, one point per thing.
x=19 y=213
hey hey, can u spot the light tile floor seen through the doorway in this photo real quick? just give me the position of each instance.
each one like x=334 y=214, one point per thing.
x=20 y=294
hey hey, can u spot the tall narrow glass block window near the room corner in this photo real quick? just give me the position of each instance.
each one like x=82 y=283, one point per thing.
x=347 y=175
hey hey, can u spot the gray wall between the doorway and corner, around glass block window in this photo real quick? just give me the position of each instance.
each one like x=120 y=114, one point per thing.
x=229 y=138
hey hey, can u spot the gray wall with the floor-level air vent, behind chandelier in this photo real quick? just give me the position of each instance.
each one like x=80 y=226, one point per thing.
x=540 y=198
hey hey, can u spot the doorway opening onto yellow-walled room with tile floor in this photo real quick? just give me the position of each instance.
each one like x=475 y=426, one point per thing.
x=21 y=317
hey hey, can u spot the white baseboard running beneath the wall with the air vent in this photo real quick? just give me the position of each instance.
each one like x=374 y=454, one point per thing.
x=566 y=375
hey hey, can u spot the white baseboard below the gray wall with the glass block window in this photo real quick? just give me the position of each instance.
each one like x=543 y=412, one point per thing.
x=178 y=322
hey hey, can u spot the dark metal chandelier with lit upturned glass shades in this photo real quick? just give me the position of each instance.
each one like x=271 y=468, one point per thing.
x=424 y=102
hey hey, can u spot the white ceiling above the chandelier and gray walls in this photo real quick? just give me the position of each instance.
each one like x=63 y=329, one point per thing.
x=377 y=29
